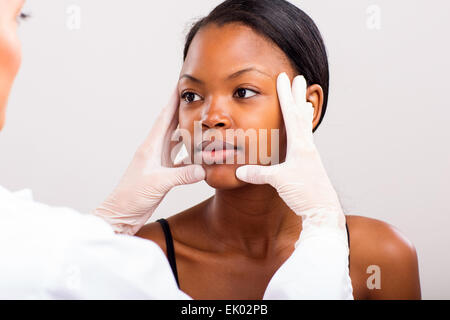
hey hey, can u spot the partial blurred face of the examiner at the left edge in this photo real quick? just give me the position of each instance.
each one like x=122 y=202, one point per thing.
x=10 y=53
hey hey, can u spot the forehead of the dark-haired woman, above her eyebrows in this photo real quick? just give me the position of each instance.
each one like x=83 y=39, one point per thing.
x=220 y=50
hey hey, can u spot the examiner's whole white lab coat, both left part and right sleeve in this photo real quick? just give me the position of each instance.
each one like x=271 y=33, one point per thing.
x=57 y=253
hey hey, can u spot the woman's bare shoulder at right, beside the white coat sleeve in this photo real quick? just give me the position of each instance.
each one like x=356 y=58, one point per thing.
x=378 y=245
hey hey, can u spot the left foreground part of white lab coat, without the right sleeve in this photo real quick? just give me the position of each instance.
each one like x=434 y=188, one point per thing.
x=58 y=253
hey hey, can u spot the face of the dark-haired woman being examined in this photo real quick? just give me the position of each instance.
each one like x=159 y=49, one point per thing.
x=213 y=92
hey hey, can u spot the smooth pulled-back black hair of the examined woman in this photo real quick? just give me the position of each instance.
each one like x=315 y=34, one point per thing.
x=291 y=29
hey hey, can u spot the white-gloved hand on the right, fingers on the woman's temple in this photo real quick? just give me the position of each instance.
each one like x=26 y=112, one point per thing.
x=301 y=181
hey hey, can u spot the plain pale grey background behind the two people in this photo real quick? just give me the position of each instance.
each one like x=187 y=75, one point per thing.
x=85 y=99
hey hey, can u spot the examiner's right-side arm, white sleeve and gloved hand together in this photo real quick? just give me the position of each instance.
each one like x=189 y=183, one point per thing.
x=318 y=268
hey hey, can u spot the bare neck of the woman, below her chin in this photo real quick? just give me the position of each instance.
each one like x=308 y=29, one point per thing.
x=252 y=220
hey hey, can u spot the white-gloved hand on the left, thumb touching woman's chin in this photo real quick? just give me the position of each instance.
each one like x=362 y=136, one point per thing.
x=149 y=177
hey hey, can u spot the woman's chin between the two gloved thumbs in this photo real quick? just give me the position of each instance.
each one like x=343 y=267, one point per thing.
x=222 y=176
